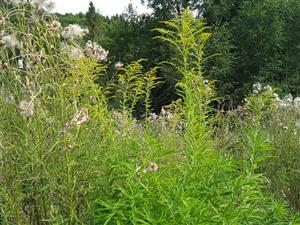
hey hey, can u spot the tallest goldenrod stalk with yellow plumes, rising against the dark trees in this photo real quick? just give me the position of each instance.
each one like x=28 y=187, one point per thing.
x=189 y=36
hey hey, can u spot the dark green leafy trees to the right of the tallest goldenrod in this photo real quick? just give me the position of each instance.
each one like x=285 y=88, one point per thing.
x=269 y=25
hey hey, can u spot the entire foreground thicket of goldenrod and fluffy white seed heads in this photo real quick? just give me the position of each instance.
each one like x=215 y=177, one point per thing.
x=73 y=153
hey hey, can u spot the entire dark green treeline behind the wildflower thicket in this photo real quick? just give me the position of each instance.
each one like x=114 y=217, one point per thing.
x=253 y=40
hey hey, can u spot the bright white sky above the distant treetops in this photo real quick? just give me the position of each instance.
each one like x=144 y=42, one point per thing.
x=105 y=7
